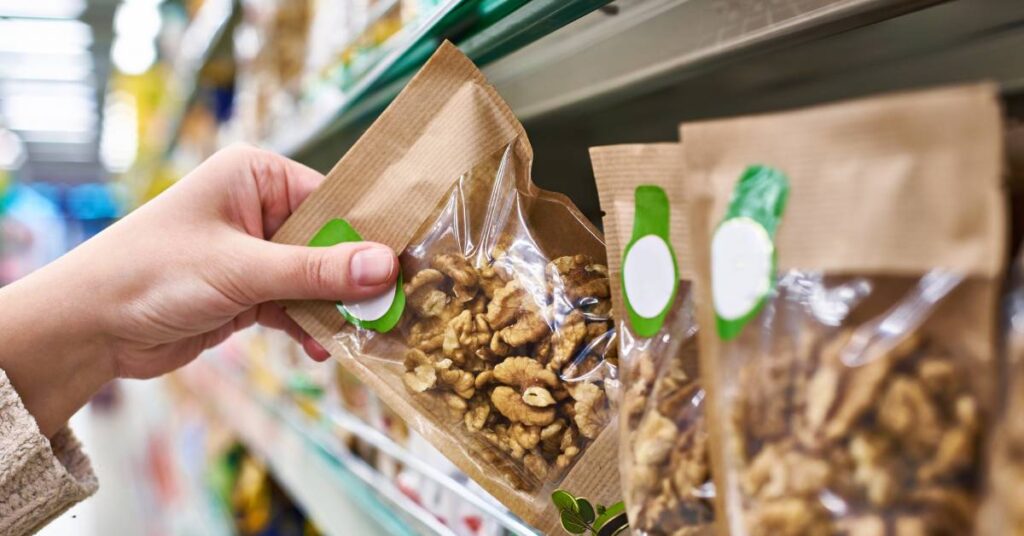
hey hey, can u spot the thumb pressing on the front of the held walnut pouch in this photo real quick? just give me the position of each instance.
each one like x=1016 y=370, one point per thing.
x=346 y=272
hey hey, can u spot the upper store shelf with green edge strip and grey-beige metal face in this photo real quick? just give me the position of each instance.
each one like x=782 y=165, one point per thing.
x=551 y=55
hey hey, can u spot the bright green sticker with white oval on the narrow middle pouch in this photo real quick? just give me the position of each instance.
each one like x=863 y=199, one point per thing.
x=651 y=275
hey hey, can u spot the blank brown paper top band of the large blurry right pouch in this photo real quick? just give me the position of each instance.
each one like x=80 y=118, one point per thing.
x=888 y=156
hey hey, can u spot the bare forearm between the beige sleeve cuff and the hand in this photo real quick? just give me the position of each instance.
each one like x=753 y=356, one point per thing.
x=53 y=354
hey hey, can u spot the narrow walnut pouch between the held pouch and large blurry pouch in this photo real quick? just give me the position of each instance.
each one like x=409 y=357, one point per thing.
x=664 y=451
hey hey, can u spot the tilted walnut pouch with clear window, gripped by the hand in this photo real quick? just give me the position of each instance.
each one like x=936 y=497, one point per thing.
x=502 y=354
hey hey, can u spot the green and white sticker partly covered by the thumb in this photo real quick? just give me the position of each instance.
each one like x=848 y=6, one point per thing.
x=380 y=313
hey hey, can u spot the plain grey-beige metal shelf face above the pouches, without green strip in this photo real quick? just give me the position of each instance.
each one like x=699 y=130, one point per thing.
x=651 y=43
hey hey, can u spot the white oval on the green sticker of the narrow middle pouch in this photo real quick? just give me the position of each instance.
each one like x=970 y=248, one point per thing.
x=649 y=276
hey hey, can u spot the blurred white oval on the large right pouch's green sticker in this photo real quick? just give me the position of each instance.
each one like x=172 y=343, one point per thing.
x=742 y=267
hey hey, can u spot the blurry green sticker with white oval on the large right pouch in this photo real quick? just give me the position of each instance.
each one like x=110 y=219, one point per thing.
x=743 y=250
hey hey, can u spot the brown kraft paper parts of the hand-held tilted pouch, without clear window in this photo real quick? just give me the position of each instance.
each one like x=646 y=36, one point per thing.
x=416 y=162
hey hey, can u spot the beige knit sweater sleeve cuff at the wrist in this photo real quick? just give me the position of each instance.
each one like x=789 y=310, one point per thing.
x=39 y=479
